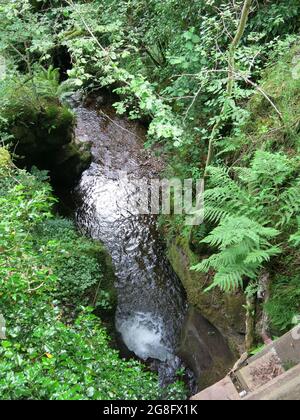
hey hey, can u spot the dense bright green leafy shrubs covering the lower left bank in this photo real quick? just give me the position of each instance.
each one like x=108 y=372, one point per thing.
x=44 y=268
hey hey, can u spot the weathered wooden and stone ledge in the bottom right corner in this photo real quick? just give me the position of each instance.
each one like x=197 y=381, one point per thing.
x=273 y=374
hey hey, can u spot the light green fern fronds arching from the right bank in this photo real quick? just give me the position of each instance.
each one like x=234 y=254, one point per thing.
x=249 y=208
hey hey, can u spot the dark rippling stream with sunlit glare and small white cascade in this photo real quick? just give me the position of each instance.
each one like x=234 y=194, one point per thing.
x=151 y=304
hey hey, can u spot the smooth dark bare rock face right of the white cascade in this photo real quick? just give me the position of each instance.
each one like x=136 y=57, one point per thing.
x=204 y=350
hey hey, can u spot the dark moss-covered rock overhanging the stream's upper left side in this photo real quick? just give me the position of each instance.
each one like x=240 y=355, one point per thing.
x=42 y=130
